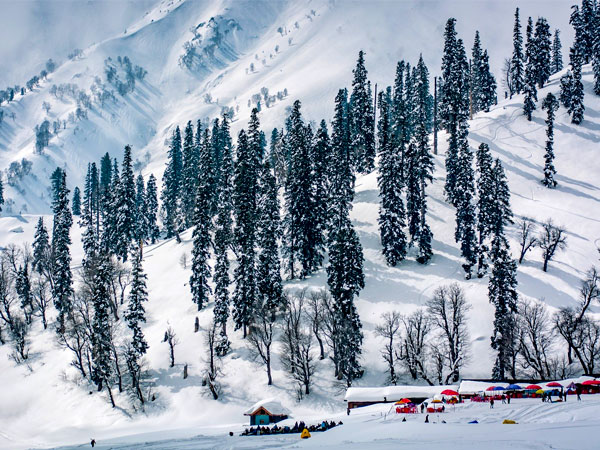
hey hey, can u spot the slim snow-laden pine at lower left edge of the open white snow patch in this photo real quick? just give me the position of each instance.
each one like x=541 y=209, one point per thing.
x=135 y=316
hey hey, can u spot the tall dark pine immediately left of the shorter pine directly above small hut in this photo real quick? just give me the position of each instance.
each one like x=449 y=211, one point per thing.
x=245 y=213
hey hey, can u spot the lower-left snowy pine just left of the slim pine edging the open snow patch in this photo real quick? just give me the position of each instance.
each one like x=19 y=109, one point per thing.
x=102 y=365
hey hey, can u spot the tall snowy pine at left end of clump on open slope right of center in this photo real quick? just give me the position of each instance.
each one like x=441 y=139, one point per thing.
x=391 y=208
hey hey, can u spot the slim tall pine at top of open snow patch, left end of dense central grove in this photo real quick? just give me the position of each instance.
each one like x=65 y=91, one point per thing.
x=171 y=192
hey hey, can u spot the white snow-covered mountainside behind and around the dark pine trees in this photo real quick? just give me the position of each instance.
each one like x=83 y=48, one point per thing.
x=45 y=403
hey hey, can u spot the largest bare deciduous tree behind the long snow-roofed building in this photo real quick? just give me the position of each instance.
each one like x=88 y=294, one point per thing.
x=448 y=310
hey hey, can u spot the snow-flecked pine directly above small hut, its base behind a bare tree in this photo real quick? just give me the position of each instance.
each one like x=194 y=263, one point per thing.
x=269 y=285
